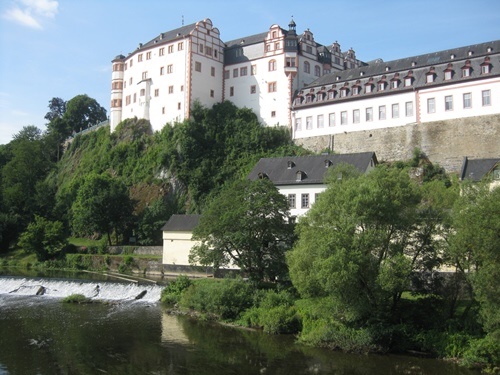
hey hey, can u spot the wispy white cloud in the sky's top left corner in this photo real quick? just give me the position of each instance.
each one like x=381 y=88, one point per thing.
x=30 y=12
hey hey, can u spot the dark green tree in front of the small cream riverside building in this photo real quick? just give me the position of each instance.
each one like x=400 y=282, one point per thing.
x=247 y=224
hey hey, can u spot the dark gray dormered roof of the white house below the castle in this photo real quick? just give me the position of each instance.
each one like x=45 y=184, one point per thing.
x=313 y=168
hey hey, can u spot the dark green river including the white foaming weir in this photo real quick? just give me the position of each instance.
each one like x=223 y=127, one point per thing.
x=40 y=335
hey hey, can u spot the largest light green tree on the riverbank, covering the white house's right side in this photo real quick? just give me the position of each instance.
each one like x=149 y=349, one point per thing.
x=362 y=241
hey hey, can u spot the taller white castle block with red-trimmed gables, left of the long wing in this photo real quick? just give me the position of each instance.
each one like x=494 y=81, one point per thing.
x=162 y=78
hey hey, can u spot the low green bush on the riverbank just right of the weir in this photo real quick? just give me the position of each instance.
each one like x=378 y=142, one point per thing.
x=226 y=299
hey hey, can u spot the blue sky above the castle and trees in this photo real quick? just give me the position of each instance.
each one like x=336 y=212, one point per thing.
x=64 y=48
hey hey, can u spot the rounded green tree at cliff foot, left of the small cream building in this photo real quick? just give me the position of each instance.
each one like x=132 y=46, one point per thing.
x=102 y=205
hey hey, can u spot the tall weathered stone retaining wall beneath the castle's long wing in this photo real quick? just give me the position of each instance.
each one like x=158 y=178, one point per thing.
x=444 y=142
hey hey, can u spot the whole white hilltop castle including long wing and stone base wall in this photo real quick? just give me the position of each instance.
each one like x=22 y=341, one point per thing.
x=327 y=97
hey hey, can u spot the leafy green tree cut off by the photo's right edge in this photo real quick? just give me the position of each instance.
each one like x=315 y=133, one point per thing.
x=475 y=248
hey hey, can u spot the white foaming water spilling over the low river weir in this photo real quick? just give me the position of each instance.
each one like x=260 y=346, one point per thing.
x=91 y=289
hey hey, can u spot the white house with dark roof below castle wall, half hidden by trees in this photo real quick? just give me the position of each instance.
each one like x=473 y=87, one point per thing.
x=301 y=178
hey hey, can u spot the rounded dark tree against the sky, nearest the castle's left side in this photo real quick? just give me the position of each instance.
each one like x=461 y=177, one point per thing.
x=83 y=112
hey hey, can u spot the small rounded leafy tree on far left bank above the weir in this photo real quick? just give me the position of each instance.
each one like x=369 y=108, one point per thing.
x=44 y=238
